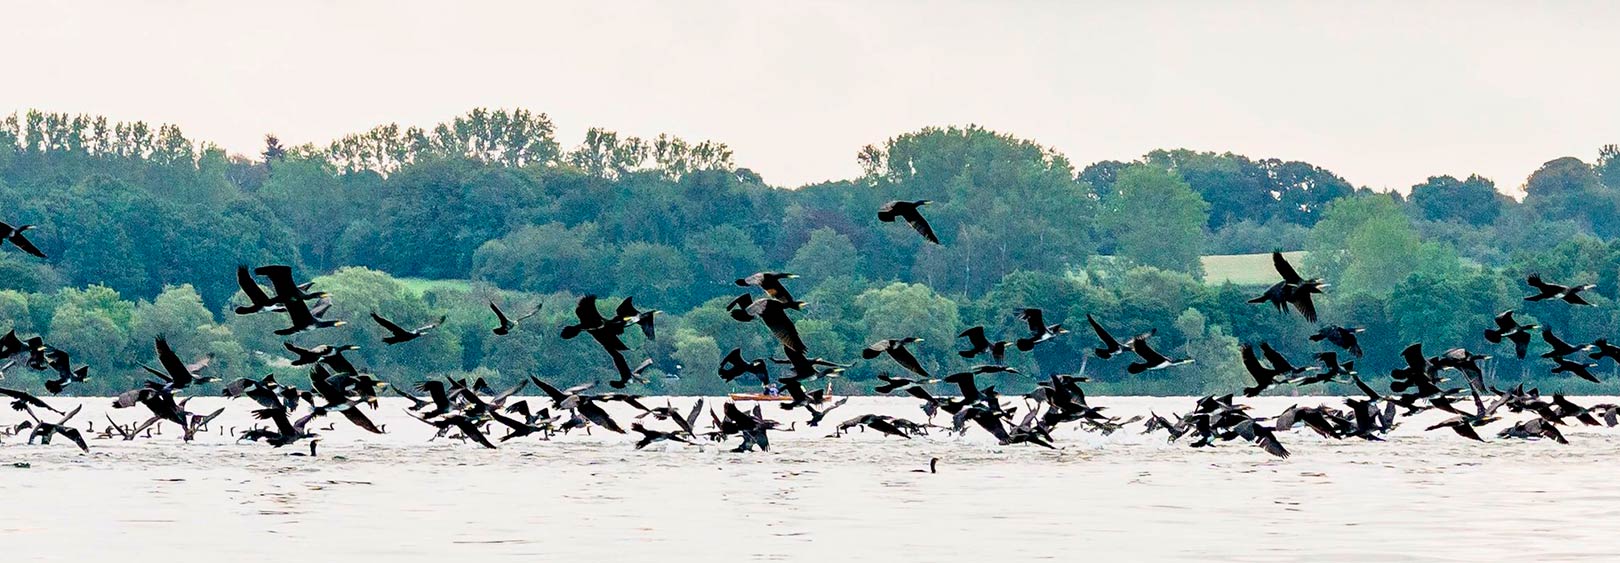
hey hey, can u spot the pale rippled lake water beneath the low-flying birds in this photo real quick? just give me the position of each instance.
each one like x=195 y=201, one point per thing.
x=1127 y=497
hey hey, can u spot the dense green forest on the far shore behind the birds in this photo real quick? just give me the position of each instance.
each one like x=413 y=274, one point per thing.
x=145 y=229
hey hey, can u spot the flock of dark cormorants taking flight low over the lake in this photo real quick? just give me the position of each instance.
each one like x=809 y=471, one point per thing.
x=475 y=412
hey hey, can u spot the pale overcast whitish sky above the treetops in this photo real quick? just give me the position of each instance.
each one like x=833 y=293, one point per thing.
x=1384 y=95
